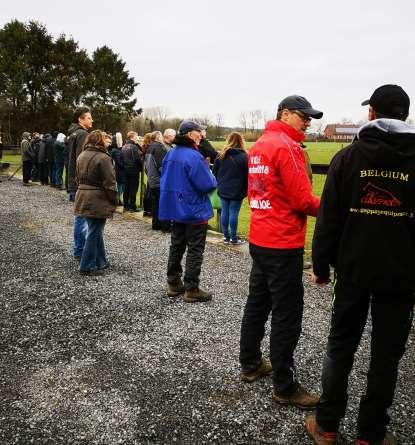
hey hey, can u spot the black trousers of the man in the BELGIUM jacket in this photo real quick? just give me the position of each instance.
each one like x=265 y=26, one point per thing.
x=391 y=322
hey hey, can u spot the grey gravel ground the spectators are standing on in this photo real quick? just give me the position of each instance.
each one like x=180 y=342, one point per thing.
x=113 y=360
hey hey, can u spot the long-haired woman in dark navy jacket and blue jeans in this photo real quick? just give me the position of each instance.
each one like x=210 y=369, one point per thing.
x=231 y=171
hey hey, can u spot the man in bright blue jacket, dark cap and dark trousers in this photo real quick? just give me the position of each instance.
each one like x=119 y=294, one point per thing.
x=186 y=182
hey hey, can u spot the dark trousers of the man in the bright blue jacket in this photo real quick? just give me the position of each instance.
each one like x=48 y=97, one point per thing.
x=194 y=238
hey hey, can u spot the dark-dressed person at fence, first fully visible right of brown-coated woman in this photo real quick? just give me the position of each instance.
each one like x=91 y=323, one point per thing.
x=132 y=158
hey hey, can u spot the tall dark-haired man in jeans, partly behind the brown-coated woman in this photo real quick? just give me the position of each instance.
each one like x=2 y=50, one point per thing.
x=77 y=134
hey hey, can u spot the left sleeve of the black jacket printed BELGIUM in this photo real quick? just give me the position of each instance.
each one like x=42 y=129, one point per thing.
x=329 y=222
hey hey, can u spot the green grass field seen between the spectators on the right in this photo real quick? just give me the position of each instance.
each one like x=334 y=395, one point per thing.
x=320 y=153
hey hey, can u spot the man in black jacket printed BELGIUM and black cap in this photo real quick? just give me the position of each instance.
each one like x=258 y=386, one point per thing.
x=366 y=230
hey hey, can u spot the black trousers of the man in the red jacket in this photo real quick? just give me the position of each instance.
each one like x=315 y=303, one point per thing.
x=276 y=287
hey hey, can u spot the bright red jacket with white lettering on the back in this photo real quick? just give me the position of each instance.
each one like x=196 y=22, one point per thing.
x=279 y=190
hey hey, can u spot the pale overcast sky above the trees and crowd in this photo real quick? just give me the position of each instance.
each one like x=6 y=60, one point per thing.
x=227 y=56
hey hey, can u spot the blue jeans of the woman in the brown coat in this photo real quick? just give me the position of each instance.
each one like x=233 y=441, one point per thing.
x=93 y=255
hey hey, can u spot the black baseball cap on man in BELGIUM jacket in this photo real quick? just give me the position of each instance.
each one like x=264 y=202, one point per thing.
x=389 y=100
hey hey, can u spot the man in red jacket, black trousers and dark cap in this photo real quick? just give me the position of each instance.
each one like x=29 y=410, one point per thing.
x=280 y=197
